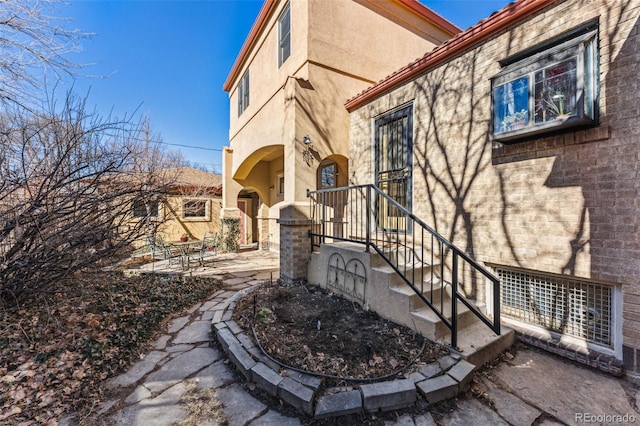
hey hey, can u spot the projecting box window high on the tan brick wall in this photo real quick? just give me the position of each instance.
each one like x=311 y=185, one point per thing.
x=547 y=89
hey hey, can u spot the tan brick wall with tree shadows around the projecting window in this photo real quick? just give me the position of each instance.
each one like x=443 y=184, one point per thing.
x=566 y=204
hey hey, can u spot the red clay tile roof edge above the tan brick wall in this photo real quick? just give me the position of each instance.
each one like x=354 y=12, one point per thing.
x=510 y=14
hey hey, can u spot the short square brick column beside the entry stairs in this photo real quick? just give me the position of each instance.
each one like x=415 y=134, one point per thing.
x=295 y=246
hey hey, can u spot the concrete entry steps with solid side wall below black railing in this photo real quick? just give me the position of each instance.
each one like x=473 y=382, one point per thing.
x=388 y=295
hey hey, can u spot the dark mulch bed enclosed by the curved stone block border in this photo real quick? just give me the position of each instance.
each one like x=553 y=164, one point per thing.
x=311 y=329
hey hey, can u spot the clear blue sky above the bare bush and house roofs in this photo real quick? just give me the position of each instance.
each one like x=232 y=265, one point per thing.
x=169 y=59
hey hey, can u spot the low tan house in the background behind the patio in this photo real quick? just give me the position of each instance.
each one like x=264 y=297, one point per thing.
x=190 y=206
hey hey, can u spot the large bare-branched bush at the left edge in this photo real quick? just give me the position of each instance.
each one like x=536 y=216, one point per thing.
x=69 y=180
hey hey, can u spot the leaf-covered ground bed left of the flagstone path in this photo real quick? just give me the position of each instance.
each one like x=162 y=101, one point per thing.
x=56 y=349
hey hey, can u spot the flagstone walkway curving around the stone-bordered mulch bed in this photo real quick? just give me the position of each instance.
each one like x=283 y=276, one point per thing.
x=532 y=388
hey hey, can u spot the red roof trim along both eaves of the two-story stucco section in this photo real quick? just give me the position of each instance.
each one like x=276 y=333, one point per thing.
x=269 y=7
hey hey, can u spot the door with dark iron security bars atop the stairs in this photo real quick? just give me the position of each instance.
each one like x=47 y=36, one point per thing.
x=393 y=153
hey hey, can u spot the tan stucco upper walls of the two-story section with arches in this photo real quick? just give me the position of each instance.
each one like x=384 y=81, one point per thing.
x=338 y=49
